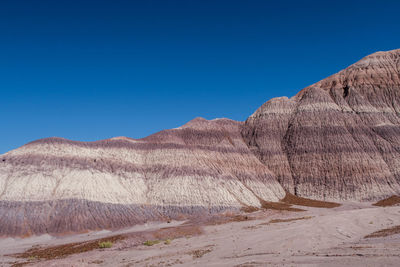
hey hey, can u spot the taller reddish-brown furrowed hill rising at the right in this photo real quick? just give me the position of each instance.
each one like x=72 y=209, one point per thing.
x=338 y=139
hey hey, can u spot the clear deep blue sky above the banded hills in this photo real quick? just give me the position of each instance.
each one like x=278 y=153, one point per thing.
x=89 y=70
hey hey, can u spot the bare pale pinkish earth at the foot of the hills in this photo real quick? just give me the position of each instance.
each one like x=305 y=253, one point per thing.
x=317 y=236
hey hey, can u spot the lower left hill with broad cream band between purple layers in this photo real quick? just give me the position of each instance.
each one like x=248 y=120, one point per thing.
x=56 y=185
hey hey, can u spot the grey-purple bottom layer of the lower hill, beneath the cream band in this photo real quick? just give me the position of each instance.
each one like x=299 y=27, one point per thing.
x=25 y=218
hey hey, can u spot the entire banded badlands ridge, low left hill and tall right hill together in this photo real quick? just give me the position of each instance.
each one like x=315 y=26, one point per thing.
x=338 y=139
